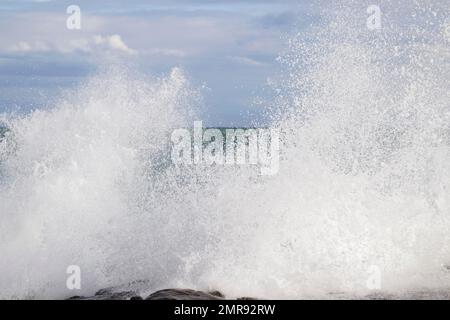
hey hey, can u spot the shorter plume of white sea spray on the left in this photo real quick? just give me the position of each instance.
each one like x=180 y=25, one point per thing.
x=71 y=187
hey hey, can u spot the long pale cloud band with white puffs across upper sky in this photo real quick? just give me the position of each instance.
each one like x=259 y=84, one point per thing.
x=160 y=35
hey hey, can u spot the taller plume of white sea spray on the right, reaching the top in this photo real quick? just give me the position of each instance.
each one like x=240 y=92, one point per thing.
x=365 y=177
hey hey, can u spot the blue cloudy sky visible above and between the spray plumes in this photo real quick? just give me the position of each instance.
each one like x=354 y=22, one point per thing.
x=228 y=46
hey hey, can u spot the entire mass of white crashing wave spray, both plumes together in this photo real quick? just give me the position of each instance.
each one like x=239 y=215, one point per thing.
x=363 y=183
